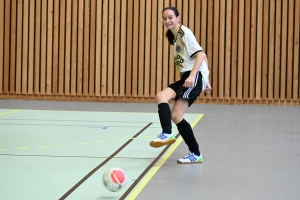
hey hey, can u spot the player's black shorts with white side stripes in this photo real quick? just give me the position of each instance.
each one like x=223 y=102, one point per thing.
x=191 y=94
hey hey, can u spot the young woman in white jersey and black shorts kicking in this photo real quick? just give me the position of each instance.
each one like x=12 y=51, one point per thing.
x=191 y=63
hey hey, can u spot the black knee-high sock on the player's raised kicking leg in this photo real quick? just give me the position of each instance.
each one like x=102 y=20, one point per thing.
x=164 y=113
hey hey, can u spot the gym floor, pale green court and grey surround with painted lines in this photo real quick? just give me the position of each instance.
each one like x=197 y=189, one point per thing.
x=59 y=150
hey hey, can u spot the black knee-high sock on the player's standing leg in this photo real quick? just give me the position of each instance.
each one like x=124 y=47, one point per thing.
x=187 y=134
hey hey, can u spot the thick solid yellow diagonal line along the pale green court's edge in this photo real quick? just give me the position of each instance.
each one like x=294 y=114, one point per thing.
x=155 y=168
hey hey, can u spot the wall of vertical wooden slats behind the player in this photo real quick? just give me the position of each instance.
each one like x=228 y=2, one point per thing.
x=115 y=50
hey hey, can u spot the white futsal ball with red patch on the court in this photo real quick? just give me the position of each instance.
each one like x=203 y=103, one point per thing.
x=114 y=179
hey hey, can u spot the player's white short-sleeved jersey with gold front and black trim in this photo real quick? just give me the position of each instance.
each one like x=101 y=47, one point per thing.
x=185 y=49
